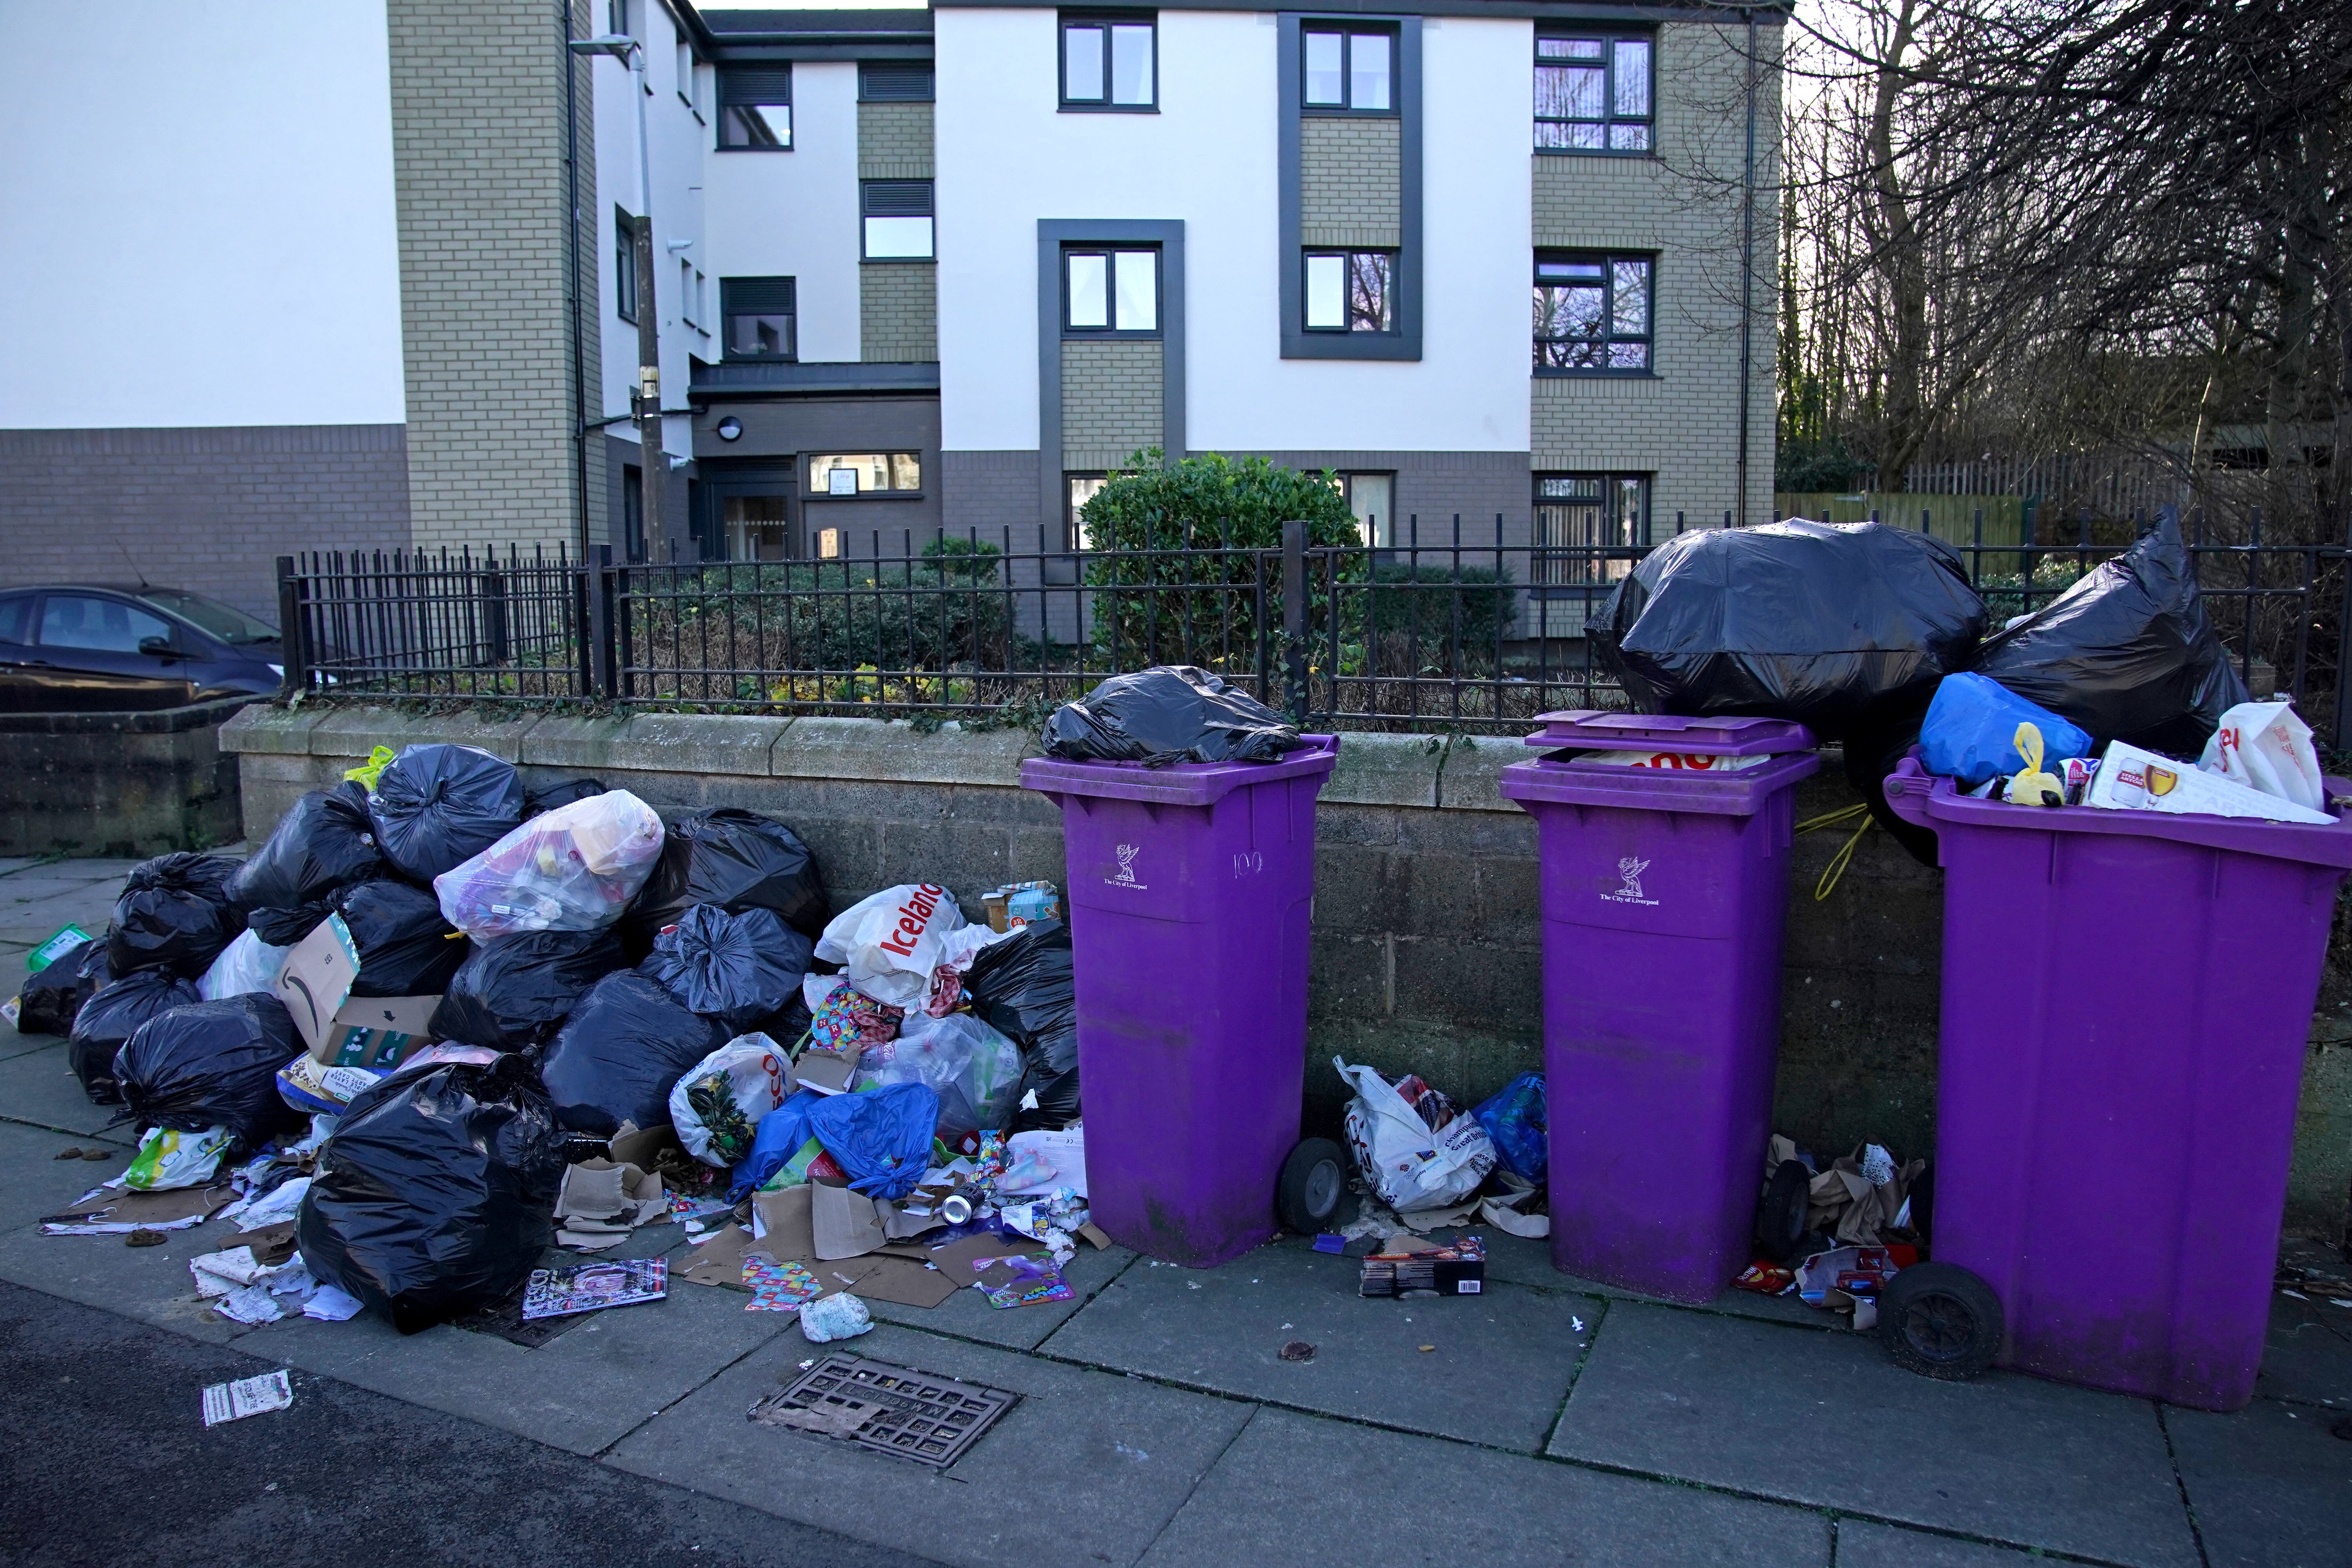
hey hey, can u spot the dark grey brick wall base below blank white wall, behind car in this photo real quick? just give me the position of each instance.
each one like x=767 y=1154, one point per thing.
x=201 y=509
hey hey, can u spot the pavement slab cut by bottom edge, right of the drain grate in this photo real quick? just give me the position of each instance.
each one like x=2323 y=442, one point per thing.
x=1481 y=1508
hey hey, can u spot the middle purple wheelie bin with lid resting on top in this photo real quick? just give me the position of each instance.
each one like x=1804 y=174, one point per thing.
x=1664 y=902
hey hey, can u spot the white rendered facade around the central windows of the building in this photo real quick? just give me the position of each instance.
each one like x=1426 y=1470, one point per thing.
x=1008 y=161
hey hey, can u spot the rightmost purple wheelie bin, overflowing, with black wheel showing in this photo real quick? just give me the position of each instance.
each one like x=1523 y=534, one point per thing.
x=2127 y=1000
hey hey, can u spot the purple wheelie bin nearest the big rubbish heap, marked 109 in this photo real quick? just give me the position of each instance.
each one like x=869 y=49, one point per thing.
x=1189 y=894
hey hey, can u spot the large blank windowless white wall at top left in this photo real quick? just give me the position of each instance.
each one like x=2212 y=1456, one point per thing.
x=199 y=215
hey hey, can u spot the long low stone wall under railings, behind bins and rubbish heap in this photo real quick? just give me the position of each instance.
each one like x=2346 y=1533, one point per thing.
x=1426 y=930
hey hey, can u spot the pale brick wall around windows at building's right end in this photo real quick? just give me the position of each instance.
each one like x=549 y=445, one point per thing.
x=1683 y=427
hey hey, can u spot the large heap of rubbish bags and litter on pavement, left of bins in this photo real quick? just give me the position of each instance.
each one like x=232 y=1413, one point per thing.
x=441 y=1021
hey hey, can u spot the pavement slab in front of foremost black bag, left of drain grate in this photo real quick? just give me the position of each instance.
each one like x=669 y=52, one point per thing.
x=582 y=1391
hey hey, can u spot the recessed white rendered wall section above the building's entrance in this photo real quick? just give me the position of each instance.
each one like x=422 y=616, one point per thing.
x=796 y=215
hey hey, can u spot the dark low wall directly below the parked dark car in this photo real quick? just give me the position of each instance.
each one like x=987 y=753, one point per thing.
x=119 y=784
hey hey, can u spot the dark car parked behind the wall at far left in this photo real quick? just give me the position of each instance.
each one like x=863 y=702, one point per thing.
x=88 y=648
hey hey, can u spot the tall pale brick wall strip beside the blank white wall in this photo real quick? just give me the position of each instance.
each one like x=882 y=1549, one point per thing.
x=479 y=161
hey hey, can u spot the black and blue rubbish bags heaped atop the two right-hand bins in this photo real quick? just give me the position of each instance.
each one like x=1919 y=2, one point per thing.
x=1873 y=636
